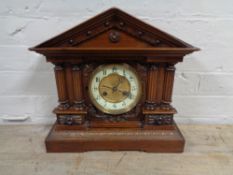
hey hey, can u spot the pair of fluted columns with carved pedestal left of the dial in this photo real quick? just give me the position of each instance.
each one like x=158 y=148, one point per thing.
x=69 y=85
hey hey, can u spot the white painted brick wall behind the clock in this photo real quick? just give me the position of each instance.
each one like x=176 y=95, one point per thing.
x=204 y=81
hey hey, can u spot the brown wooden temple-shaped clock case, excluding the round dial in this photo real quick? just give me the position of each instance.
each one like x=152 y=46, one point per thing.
x=114 y=37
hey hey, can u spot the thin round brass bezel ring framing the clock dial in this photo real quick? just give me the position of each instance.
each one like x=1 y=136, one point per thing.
x=119 y=111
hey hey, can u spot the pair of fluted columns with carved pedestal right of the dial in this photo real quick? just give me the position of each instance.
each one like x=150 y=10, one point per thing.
x=158 y=109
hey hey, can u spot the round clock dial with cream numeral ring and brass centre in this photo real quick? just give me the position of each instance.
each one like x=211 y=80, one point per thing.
x=114 y=88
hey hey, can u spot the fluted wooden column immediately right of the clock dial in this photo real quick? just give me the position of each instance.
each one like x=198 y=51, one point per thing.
x=151 y=95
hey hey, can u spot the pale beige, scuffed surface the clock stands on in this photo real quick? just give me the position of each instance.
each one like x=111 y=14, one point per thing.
x=209 y=151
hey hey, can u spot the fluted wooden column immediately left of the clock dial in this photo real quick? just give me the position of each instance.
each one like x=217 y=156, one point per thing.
x=78 y=87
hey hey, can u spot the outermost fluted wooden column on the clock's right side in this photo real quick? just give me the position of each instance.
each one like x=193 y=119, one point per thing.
x=168 y=86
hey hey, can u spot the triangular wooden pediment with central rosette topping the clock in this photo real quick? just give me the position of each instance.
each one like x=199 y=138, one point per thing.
x=114 y=30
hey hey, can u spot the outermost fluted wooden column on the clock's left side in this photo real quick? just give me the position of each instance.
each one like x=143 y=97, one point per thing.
x=61 y=87
